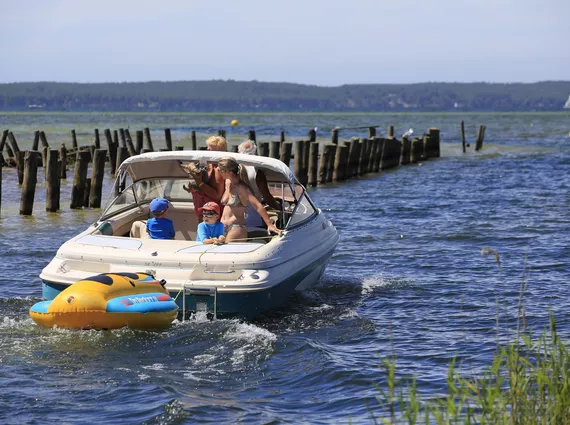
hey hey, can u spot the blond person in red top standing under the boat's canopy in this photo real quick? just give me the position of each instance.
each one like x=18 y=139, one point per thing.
x=209 y=187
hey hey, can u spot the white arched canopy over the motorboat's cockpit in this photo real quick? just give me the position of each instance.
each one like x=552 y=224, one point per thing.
x=167 y=164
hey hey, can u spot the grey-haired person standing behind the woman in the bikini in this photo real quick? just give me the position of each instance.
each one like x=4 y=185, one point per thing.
x=258 y=185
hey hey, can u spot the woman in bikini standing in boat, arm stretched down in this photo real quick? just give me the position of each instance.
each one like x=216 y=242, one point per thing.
x=236 y=197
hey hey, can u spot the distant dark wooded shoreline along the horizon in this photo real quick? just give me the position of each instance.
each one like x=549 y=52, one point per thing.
x=255 y=96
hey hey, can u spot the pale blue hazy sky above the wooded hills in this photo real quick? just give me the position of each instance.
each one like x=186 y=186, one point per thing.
x=318 y=42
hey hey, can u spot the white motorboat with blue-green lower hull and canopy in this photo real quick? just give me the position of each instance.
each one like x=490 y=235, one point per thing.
x=238 y=278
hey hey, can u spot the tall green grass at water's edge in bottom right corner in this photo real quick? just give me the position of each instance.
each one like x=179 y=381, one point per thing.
x=528 y=382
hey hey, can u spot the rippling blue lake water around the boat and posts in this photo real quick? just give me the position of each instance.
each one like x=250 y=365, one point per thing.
x=407 y=279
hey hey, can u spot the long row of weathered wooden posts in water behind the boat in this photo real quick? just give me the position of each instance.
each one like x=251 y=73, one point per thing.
x=339 y=161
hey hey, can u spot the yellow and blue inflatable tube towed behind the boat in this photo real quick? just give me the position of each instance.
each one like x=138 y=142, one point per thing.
x=109 y=301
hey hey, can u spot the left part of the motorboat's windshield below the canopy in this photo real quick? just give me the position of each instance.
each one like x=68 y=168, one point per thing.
x=144 y=191
